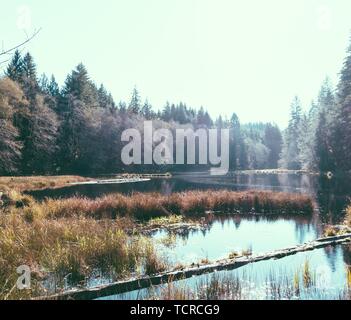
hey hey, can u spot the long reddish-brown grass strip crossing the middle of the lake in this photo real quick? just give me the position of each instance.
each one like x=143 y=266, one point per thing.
x=143 y=206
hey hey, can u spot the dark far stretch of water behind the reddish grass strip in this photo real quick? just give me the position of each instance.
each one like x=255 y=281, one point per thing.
x=330 y=194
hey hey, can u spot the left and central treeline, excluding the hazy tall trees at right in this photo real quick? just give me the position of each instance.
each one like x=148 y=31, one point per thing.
x=76 y=128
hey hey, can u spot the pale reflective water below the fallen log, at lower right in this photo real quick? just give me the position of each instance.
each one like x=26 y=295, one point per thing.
x=254 y=278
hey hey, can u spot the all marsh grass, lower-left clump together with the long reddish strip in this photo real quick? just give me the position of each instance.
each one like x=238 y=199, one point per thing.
x=72 y=240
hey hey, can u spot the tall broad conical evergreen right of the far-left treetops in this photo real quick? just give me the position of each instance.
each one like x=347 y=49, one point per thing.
x=79 y=112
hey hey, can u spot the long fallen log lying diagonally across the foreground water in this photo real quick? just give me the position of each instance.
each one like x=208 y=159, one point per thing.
x=176 y=275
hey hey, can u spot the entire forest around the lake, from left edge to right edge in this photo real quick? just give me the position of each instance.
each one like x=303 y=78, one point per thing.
x=76 y=128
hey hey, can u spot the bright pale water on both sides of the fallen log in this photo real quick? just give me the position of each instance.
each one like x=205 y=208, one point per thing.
x=329 y=266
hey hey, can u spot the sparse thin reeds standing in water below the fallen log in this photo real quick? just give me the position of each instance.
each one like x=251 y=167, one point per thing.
x=303 y=285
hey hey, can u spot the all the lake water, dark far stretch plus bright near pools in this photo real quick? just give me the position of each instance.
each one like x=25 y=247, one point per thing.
x=259 y=234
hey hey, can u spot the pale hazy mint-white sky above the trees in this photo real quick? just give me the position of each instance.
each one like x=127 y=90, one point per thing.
x=249 y=57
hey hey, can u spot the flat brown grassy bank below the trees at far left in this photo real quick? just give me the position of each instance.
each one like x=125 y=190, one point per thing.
x=37 y=182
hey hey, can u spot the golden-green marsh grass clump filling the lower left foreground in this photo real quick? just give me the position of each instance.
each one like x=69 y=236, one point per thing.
x=72 y=248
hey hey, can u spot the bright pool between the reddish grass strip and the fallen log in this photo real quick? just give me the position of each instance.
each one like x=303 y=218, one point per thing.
x=237 y=234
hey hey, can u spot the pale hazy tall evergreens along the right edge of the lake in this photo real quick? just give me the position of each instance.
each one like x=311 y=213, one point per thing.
x=320 y=139
